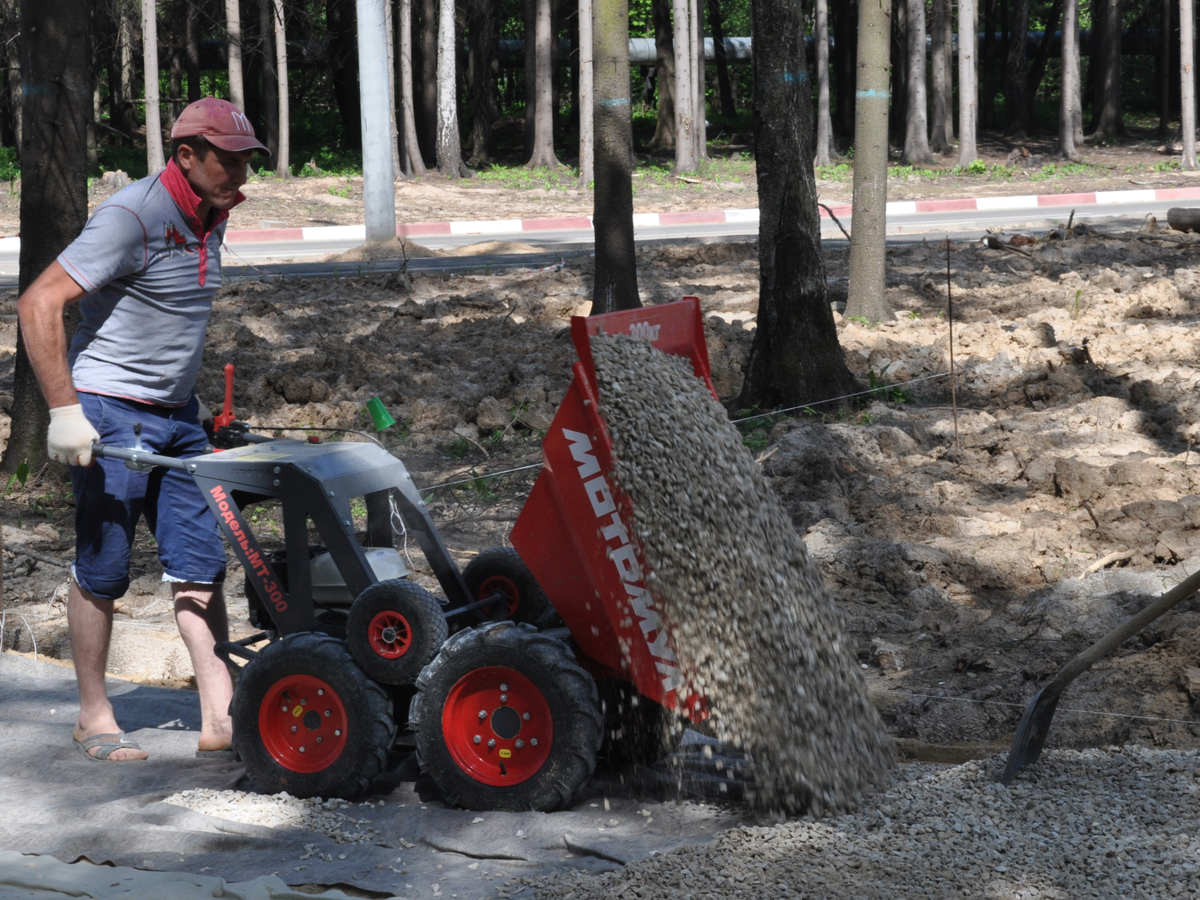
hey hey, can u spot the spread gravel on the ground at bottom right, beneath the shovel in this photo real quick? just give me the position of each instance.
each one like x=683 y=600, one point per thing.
x=1093 y=824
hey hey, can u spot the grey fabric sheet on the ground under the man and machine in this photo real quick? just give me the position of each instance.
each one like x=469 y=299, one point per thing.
x=57 y=803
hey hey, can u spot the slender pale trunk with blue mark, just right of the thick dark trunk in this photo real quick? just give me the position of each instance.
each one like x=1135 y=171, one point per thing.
x=868 y=251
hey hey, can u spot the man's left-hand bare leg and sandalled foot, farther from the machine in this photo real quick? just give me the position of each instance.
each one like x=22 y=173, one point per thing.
x=91 y=621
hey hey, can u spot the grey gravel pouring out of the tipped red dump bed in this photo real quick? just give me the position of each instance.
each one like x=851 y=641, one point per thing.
x=749 y=613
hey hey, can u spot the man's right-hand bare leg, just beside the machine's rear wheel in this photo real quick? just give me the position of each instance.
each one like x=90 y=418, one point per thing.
x=201 y=616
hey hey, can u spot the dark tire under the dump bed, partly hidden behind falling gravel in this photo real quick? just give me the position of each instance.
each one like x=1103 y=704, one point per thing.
x=638 y=731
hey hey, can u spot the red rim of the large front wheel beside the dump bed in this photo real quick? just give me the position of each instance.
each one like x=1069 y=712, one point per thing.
x=513 y=739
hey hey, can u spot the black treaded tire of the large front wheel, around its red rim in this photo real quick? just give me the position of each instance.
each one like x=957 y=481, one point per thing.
x=569 y=694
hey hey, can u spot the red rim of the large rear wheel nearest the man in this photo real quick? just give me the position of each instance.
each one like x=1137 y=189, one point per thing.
x=303 y=724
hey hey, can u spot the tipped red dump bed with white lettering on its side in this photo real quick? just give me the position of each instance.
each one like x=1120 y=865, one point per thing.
x=574 y=532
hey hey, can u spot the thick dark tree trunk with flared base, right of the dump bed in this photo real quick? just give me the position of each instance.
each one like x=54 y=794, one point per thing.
x=795 y=358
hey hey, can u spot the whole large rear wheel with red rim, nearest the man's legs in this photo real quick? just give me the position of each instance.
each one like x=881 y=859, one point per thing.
x=309 y=722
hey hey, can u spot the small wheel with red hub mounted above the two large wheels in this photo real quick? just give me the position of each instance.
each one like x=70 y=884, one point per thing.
x=419 y=609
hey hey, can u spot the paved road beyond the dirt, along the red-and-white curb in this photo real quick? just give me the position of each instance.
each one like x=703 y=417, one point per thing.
x=296 y=259
